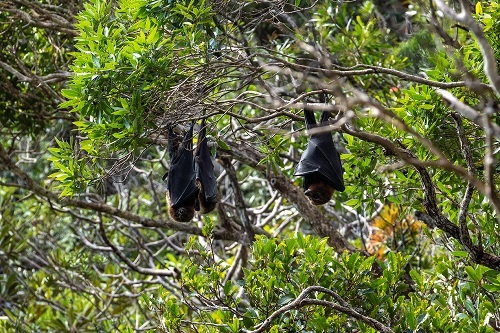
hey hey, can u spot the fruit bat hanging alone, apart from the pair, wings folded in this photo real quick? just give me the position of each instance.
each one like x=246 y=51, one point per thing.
x=320 y=164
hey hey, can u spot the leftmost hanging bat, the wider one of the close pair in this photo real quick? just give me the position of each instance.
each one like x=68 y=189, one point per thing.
x=182 y=191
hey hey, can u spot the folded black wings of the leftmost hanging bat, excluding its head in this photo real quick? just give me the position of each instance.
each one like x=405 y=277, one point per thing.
x=181 y=178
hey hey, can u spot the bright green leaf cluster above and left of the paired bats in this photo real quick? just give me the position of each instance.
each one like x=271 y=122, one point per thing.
x=126 y=60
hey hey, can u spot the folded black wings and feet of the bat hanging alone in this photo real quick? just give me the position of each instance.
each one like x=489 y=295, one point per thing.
x=320 y=157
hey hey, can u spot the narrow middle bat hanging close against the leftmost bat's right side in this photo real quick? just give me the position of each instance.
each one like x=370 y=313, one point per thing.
x=205 y=176
